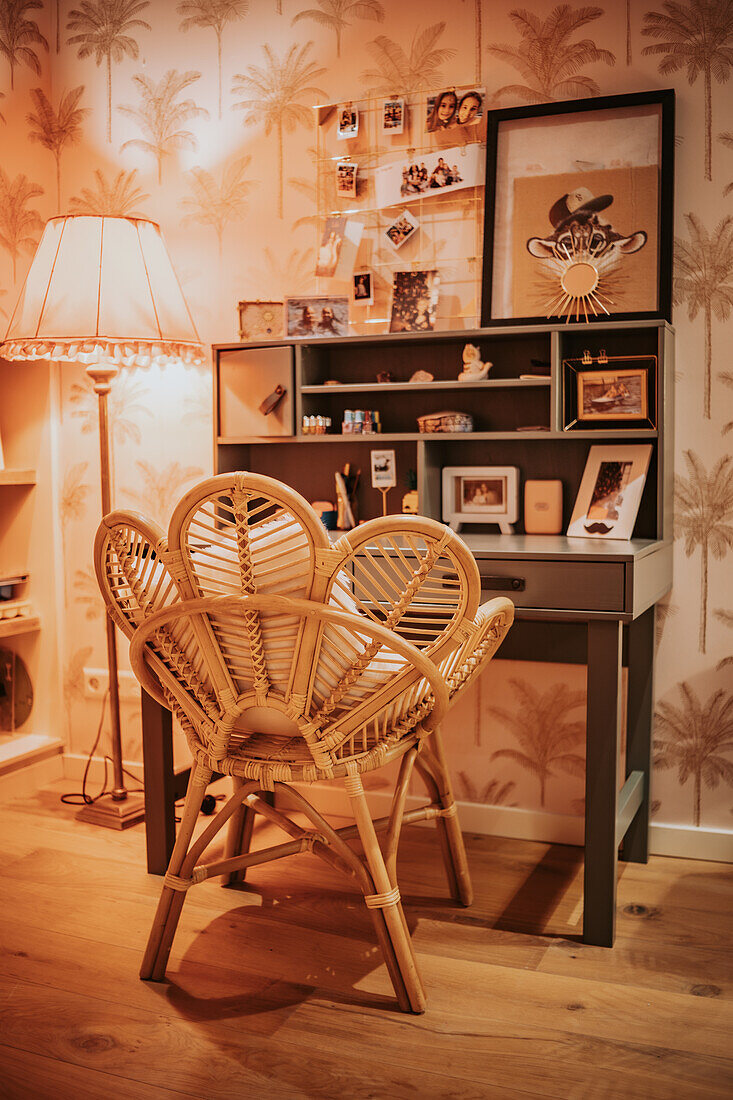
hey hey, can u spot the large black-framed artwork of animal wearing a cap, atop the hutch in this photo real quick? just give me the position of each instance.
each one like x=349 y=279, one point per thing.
x=579 y=211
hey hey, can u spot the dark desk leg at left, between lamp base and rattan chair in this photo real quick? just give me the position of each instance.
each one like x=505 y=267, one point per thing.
x=160 y=784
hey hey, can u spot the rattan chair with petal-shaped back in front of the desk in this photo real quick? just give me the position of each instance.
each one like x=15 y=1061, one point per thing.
x=291 y=662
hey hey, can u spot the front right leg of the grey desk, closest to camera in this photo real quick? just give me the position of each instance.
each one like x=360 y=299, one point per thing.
x=603 y=742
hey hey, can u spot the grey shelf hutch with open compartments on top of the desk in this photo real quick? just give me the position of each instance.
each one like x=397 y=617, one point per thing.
x=518 y=421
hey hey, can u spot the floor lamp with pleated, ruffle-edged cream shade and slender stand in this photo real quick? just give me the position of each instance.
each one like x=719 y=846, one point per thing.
x=103 y=292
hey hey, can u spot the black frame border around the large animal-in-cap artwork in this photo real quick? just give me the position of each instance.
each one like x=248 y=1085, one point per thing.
x=491 y=272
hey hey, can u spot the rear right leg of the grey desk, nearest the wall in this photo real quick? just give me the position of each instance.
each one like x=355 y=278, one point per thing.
x=640 y=710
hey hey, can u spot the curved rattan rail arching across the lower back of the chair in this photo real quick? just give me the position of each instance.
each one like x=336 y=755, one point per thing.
x=421 y=666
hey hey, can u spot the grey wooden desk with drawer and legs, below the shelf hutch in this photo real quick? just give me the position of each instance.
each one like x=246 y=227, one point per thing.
x=578 y=601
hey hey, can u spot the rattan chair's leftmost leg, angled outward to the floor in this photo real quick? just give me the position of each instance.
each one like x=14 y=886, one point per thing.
x=171 y=904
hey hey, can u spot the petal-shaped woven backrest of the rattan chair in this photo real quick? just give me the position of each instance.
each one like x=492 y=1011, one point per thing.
x=319 y=678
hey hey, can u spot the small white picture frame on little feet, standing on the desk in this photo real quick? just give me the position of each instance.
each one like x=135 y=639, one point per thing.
x=482 y=496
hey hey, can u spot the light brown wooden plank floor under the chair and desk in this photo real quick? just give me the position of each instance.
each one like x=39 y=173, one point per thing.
x=277 y=991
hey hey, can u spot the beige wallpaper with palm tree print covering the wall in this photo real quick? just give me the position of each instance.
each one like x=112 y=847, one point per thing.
x=200 y=115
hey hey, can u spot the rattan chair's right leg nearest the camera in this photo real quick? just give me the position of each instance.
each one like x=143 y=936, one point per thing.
x=395 y=917
